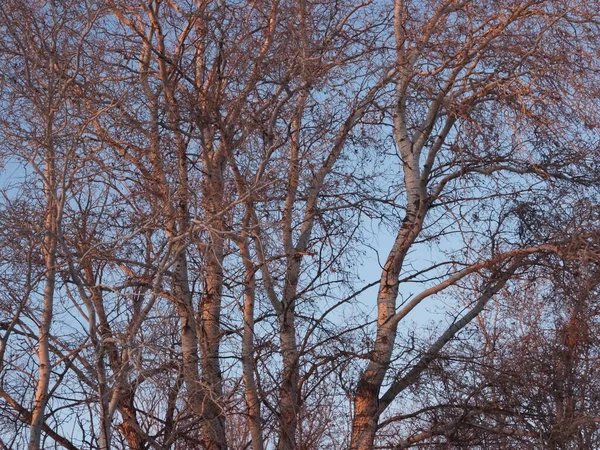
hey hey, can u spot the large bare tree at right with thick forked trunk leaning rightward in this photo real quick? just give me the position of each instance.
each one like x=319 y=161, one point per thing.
x=477 y=103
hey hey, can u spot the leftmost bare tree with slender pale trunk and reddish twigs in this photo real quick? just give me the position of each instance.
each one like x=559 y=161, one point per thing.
x=41 y=131
